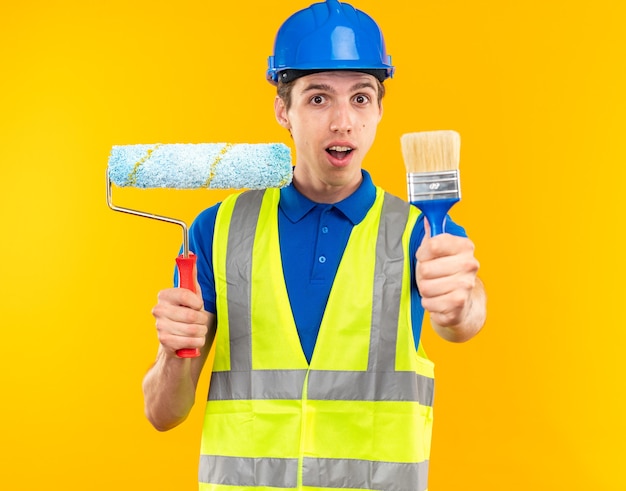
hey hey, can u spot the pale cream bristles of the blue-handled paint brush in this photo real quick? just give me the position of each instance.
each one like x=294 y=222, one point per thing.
x=431 y=151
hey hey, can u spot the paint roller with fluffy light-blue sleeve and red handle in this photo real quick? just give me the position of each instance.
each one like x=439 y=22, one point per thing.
x=196 y=166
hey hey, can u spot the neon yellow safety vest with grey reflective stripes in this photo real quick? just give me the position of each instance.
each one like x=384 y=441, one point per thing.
x=359 y=416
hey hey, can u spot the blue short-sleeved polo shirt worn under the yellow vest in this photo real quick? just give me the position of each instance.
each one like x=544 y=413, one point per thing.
x=312 y=238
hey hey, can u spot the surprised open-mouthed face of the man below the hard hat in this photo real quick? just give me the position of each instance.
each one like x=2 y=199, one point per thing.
x=333 y=120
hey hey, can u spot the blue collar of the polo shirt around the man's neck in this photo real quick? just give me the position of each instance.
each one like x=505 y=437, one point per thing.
x=295 y=205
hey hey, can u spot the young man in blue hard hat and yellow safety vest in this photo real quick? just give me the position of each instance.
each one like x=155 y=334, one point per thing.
x=314 y=294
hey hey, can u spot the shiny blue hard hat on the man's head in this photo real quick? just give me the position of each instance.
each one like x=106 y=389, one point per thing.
x=328 y=36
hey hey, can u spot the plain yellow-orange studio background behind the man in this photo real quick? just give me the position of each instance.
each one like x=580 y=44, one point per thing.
x=536 y=89
